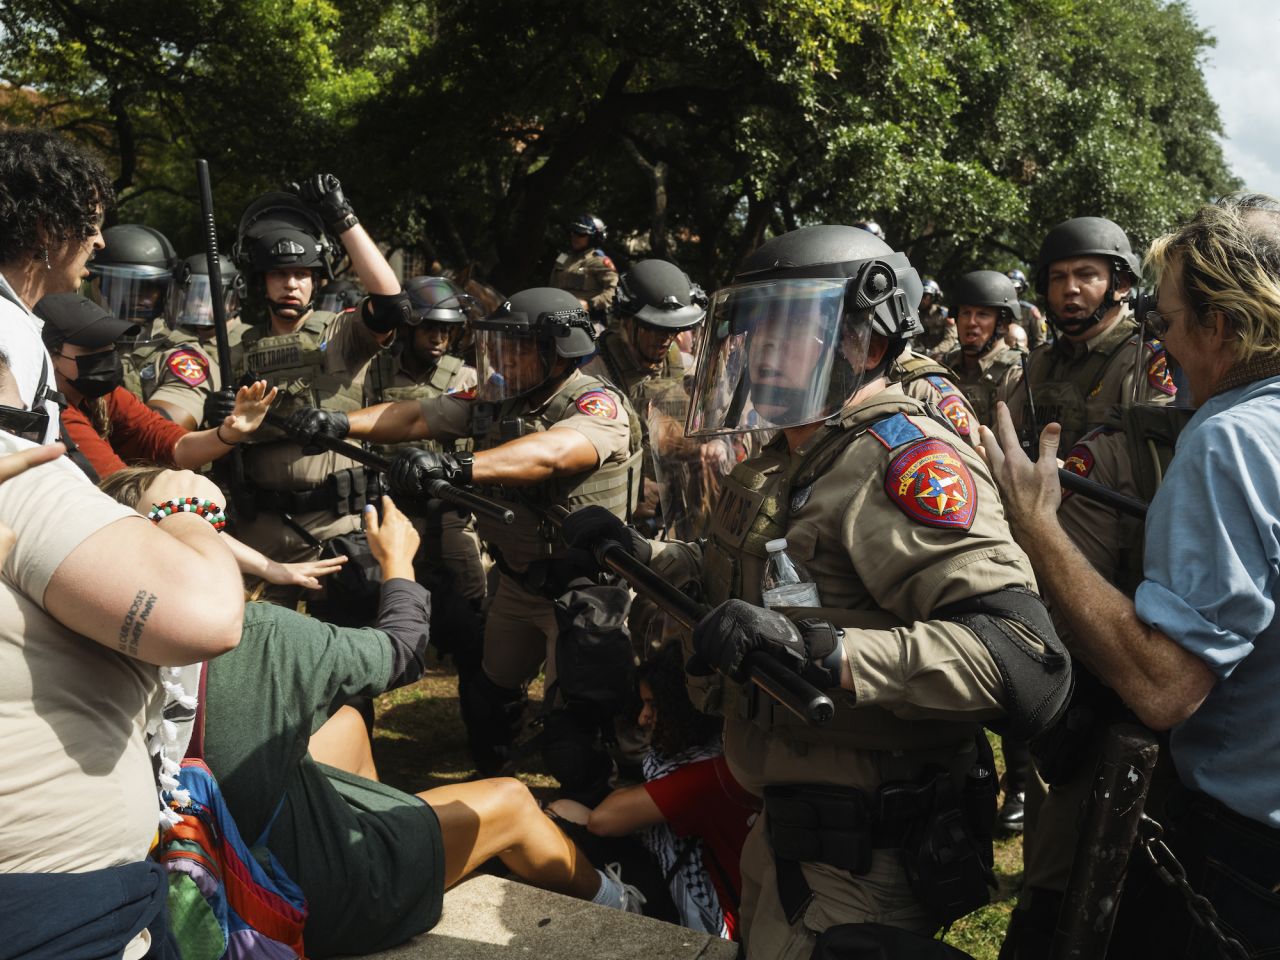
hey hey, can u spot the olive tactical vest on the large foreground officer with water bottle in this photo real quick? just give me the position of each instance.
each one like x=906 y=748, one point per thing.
x=755 y=509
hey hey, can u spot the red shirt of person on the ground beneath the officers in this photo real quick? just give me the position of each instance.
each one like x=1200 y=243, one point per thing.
x=703 y=801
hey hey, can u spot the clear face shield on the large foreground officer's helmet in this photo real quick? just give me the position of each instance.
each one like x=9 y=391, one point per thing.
x=778 y=354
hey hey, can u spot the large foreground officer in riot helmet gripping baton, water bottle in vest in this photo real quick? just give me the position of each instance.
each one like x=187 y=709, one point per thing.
x=925 y=621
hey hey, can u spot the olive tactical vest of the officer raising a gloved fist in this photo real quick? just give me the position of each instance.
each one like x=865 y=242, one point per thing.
x=295 y=364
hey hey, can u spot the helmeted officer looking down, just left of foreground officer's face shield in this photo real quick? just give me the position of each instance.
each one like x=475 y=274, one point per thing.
x=655 y=303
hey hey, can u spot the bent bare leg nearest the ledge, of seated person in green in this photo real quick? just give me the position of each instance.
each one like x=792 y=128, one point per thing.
x=501 y=819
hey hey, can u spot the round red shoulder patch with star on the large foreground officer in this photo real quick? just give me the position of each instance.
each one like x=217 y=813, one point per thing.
x=932 y=486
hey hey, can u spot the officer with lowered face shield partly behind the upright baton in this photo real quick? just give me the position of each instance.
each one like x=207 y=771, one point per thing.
x=177 y=371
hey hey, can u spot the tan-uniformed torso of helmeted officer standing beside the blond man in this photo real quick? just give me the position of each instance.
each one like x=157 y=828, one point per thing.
x=1076 y=385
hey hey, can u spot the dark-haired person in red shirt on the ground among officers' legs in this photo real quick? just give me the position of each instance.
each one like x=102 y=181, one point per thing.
x=697 y=813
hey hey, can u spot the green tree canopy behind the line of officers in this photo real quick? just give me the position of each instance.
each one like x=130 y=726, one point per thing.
x=696 y=129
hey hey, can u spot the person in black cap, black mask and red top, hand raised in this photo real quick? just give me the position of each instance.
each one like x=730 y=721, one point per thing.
x=104 y=426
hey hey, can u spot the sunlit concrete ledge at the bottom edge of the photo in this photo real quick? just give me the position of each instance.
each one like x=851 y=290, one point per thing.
x=487 y=918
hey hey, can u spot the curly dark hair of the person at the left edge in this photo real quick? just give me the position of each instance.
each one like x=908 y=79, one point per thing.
x=51 y=193
